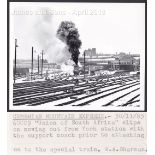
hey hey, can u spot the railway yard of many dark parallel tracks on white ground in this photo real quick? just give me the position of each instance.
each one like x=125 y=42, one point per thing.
x=91 y=93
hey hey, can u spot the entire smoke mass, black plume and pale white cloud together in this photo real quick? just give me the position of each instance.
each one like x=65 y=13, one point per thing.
x=60 y=45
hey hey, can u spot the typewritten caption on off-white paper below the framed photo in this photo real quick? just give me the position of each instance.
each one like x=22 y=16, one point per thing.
x=49 y=133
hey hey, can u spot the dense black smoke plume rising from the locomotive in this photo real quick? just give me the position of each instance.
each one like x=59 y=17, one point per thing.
x=68 y=33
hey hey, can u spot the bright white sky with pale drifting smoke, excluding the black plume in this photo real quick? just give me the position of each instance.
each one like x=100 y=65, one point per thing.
x=113 y=27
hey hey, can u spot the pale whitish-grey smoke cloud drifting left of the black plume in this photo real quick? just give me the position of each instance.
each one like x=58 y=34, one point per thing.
x=45 y=37
